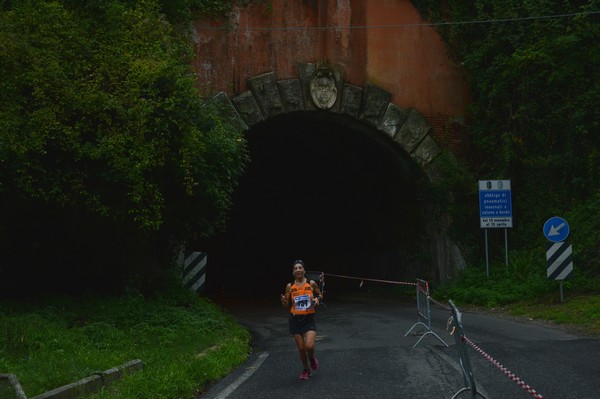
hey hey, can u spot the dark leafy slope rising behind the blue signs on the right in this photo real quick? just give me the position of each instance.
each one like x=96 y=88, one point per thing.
x=532 y=68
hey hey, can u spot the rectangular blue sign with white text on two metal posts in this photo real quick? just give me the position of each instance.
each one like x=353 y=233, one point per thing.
x=495 y=211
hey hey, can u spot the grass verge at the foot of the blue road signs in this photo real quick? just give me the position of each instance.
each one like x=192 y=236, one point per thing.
x=522 y=290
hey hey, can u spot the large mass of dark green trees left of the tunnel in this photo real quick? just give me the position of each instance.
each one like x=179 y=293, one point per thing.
x=108 y=158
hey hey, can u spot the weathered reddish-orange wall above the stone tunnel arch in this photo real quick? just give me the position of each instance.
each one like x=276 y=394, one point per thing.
x=379 y=41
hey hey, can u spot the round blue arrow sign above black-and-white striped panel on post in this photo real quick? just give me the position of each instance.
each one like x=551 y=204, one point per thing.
x=559 y=256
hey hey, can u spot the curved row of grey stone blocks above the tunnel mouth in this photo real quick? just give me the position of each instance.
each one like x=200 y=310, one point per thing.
x=269 y=97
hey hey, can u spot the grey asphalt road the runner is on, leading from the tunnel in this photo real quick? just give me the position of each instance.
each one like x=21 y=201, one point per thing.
x=363 y=354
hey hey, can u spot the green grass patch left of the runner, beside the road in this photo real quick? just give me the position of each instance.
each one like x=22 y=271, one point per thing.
x=184 y=342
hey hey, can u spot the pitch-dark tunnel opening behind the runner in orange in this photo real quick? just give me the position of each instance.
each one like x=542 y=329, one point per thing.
x=325 y=189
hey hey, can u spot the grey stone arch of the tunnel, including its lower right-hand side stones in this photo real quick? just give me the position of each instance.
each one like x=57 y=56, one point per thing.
x=268 y=98
